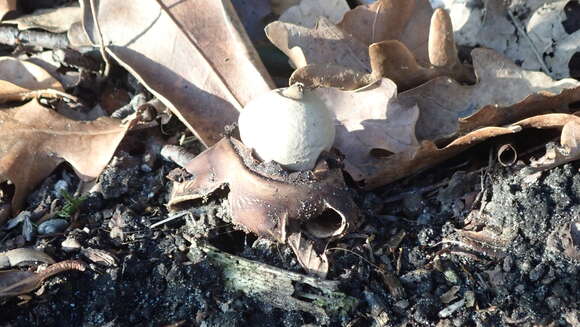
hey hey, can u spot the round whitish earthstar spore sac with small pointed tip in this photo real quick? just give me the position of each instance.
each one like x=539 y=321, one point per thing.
x=290 y=126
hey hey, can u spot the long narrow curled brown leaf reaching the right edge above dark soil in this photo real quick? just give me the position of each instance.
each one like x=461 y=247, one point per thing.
x=383 y=171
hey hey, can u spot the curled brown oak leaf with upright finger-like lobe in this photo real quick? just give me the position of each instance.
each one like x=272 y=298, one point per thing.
x=393 y=60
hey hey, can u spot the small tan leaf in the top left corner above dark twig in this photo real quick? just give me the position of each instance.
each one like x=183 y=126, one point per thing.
x=55 y=20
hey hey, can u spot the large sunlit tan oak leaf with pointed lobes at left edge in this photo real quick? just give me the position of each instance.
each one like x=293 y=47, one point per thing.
x=34 y=140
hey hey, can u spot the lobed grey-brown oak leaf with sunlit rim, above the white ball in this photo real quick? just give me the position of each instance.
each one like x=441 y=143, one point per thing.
x=324 y=44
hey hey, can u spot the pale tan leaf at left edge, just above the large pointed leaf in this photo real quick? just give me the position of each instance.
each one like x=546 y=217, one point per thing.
x=18 y=78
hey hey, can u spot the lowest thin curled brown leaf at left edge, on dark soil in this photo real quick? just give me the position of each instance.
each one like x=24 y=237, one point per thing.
x=13 y=283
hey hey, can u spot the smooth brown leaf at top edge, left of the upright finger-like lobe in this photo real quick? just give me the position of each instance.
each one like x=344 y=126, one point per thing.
x=403 y=20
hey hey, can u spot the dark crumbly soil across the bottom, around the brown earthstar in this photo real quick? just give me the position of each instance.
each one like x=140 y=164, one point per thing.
x=526 y=280
